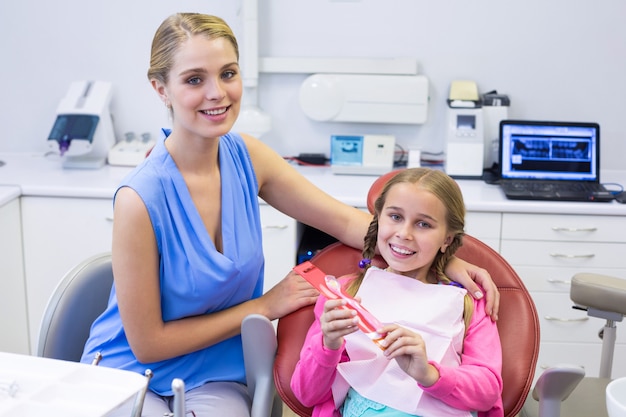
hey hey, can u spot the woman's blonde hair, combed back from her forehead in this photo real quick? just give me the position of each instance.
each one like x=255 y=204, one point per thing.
x=175 y=30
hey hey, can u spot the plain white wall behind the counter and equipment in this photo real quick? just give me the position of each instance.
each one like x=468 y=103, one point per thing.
x=558 y=59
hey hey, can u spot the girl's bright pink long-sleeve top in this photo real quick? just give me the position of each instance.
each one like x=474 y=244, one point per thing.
x=475 y=385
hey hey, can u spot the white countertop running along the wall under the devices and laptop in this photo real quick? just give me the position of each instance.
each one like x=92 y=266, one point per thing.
x=36 y=175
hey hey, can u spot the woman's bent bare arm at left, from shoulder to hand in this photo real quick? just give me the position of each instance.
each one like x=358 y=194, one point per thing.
x=136 y=272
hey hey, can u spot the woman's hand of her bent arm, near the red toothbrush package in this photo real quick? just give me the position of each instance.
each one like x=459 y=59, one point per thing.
x=290 y=294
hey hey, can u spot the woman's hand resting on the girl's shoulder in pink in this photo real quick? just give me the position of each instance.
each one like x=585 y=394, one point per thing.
x=469 y=275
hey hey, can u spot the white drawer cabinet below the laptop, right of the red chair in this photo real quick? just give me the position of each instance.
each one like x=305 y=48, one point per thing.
x=546 y=250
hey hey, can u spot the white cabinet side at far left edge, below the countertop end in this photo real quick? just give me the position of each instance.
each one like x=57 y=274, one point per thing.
x=13 y=322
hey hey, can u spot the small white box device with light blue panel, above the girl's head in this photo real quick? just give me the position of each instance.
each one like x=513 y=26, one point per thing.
x=362 y=154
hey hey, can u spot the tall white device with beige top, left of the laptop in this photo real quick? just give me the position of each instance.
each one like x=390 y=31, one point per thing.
x=465 y=132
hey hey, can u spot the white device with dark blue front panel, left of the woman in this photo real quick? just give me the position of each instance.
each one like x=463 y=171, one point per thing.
x=83 y=130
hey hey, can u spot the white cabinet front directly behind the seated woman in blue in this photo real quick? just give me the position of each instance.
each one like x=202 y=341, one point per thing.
x=61 y=232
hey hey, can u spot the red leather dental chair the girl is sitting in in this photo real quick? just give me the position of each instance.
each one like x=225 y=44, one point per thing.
x=518 y=323
